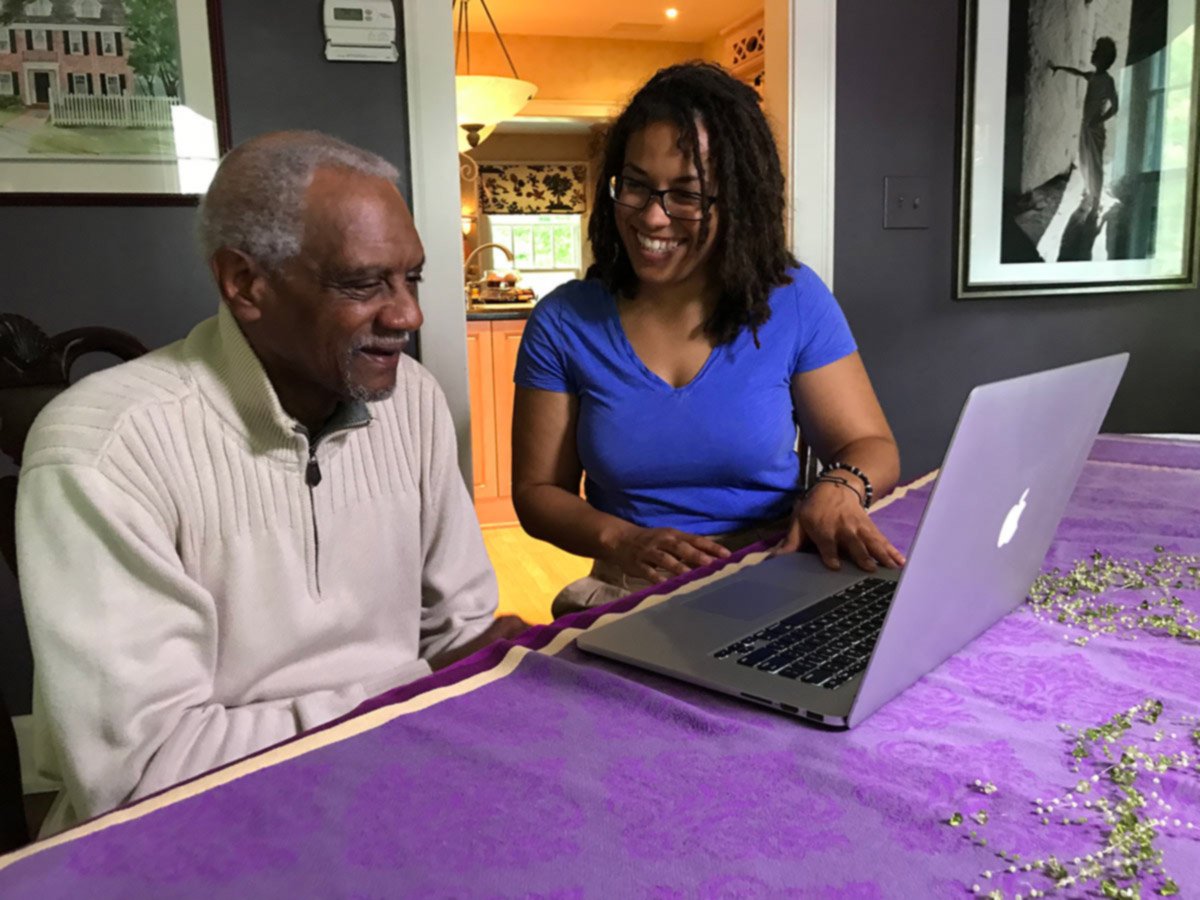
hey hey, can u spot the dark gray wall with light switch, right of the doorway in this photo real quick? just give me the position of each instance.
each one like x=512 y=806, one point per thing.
x=898 y=74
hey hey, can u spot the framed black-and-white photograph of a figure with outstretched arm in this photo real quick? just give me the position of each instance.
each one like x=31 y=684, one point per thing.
x=1079 y=147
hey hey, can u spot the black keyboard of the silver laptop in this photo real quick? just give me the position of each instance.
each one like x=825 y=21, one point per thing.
x=825 y=645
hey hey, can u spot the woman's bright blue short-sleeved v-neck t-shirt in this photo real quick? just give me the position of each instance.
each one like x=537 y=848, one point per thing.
x=716 y=455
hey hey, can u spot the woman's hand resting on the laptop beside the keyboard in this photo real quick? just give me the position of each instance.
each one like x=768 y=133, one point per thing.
x=832 y=518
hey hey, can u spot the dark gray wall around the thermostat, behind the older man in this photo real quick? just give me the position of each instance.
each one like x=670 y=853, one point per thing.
x=137 y=268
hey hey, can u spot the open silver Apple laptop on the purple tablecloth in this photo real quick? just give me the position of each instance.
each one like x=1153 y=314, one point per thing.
x=835 y=647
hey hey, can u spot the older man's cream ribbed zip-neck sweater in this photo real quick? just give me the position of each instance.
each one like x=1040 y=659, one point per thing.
x=193 y=597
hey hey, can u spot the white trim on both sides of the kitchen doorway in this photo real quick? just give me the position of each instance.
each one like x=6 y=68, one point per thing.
x=806 y=61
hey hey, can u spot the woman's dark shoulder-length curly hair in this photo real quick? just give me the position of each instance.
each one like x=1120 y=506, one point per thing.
x=751 y=256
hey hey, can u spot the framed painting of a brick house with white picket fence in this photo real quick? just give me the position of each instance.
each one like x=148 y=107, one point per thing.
x=110 y=101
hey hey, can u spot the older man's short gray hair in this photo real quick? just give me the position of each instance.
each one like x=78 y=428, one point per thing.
x=257 y=197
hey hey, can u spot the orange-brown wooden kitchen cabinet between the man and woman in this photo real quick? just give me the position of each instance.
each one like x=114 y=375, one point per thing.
x=491 y=359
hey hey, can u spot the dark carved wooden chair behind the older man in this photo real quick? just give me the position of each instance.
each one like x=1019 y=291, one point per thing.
x=34 y=369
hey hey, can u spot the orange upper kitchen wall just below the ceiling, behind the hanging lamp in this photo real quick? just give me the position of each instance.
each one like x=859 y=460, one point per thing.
x=578 y=69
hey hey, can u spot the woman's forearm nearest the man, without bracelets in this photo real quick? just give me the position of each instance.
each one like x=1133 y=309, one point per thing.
x=566 y=520
